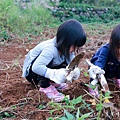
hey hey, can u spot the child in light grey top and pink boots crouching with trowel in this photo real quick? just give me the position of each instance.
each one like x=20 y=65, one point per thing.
x=46 y=63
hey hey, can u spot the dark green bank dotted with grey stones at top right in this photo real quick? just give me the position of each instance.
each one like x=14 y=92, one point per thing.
x=88 y=13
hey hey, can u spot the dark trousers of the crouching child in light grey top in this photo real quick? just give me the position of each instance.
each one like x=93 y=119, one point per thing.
x=36 y=79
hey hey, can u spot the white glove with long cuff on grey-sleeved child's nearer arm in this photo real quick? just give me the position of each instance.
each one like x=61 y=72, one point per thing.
x=56 y=75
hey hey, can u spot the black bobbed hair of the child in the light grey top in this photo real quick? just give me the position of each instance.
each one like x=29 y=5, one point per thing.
x=70 y=33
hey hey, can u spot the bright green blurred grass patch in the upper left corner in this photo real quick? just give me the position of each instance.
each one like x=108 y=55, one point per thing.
x=23 y=19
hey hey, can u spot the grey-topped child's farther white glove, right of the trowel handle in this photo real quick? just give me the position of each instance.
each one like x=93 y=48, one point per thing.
x=73 y=75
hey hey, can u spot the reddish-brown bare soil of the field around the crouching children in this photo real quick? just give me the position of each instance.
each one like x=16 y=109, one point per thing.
x=18 y=97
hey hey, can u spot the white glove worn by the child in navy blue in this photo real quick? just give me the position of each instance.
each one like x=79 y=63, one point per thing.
x=94 y=70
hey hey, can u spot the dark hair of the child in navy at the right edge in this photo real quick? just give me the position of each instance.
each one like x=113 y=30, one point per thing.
x=115 y=41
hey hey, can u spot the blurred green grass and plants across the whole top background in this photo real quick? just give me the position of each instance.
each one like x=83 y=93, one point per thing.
x=31 y=18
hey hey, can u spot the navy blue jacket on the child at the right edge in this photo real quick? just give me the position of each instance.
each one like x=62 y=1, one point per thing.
x=105 y=60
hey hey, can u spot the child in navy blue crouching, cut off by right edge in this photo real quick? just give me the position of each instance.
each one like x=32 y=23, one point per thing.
x=107 y=60
